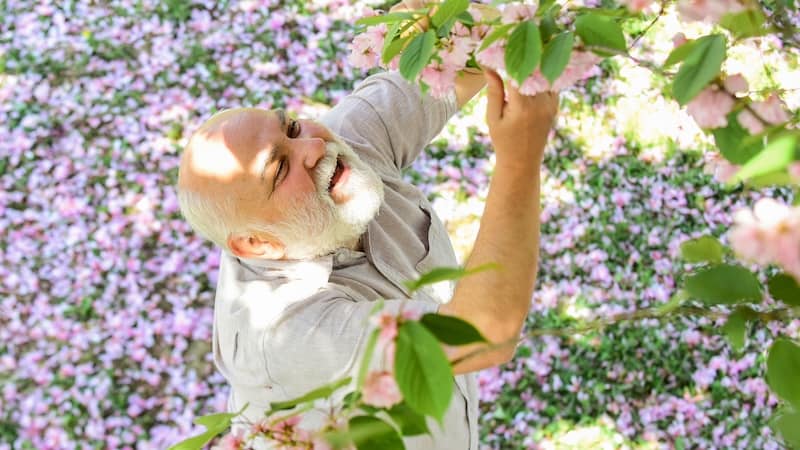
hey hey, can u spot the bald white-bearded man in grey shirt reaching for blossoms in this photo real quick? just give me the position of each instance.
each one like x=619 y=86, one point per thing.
x=316 y=223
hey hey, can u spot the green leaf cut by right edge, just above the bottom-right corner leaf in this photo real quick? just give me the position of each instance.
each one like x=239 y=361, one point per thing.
x=783 y=367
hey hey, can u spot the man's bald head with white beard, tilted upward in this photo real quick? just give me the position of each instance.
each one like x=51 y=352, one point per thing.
x=263 y=185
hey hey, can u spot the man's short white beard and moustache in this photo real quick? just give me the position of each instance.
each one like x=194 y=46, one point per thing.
x=316 y=225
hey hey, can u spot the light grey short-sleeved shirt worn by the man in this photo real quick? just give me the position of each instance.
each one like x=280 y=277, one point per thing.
x=284 y=328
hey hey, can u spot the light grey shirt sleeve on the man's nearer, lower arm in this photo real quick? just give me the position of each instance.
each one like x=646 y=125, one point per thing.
x=320 y=340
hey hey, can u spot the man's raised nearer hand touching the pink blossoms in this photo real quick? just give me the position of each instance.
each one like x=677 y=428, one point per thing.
x=518 y=126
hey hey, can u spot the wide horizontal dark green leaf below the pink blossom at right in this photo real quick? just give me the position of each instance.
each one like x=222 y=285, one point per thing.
x=724 y=284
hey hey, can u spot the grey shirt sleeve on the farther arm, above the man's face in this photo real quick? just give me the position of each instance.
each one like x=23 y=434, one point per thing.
x=390 y=115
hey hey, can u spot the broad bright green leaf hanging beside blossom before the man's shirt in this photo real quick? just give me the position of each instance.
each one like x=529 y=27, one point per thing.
x=422 y=371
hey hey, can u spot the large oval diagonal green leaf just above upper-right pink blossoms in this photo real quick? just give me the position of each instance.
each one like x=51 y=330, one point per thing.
x=700 y=67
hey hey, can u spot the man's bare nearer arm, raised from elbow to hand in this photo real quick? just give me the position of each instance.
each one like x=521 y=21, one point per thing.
x=497 y=301
